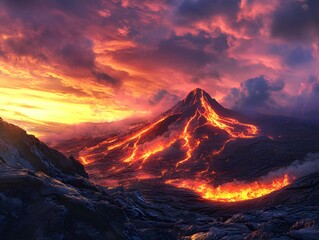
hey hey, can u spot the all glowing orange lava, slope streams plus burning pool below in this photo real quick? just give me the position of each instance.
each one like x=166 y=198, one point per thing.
x=137 y=154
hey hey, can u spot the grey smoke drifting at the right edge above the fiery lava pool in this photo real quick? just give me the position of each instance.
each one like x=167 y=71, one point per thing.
x=299 y=168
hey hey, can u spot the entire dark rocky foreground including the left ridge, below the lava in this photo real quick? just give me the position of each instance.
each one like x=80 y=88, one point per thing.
x=44 y=195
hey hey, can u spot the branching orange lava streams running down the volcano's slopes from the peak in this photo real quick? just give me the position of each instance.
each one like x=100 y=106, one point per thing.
x=138 y=152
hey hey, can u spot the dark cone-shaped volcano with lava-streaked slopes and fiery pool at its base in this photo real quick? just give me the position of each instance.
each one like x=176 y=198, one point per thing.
x=201 y=146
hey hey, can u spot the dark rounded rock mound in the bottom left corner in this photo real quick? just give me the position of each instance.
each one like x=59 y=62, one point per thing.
x=36 y=206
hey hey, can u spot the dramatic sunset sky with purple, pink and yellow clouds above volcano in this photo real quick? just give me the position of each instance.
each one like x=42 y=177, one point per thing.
x=67 y=62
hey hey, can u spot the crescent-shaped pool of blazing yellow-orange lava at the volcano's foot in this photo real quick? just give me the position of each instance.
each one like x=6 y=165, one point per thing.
x=234 y=191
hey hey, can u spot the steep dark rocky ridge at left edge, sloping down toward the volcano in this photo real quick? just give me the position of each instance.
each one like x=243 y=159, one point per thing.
x=18 y=149
